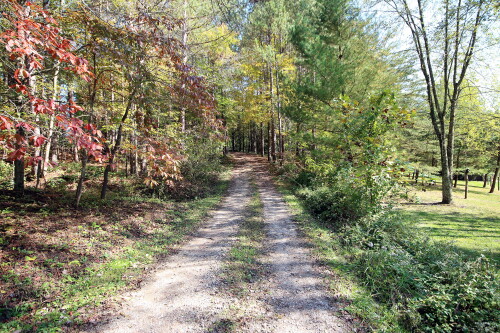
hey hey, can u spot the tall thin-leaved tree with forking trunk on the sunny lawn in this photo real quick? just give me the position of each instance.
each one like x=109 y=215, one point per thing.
x=457 y=34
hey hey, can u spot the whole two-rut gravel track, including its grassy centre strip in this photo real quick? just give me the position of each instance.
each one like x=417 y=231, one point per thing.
x=193 y=290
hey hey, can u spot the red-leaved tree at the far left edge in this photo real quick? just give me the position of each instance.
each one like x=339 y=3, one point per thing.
x=31 y=41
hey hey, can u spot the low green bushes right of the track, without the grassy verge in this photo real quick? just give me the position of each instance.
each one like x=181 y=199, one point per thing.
x=431 y=287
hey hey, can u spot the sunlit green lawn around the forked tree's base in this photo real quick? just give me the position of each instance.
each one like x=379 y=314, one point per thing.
x=473 y=224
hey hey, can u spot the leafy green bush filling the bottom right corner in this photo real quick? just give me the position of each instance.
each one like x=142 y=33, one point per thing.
x=461 y=299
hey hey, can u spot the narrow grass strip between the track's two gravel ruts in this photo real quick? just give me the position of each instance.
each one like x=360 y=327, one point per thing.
x=242 y=266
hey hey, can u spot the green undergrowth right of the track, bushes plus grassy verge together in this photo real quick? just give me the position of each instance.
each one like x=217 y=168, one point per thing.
x=395 y=277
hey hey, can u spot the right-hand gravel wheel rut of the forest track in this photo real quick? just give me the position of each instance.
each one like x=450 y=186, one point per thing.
x=297 y=296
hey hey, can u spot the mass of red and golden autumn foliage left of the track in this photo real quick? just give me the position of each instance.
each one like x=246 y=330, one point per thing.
x=136 y=78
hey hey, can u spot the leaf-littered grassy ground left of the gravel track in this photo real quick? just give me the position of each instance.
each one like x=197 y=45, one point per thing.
x=60 y=267
